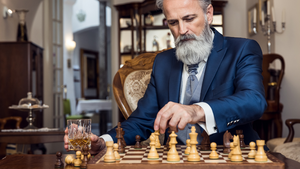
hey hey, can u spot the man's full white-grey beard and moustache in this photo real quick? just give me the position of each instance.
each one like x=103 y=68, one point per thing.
x=196 y=48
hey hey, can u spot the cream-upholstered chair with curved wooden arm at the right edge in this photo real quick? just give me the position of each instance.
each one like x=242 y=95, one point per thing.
x=290 y=146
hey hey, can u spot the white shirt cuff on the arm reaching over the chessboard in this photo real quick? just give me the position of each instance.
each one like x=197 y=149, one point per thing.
x=210 y=123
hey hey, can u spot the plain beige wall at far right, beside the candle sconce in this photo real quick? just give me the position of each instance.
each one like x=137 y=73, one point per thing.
x=287 y=45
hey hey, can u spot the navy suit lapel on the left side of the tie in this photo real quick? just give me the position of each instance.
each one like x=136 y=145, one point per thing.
x=175 y=81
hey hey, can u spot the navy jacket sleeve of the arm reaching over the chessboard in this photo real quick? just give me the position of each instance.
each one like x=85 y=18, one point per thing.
x=241 y=99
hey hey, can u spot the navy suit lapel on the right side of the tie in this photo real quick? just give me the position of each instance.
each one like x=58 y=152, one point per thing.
x=213 y=62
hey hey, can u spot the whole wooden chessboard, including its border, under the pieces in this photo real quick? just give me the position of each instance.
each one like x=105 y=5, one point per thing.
x=137 y=158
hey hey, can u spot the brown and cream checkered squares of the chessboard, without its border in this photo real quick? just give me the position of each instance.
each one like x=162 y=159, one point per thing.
x=133 y=155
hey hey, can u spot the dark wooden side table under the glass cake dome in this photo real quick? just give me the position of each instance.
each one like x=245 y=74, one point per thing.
x=29 y=138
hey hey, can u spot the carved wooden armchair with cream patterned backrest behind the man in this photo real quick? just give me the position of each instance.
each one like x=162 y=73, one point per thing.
x=130 y=84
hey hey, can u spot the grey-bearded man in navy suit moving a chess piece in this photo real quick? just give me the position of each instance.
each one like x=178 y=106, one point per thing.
x=208 y=80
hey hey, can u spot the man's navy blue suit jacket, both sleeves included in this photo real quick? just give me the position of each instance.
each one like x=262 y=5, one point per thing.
x=232 y=86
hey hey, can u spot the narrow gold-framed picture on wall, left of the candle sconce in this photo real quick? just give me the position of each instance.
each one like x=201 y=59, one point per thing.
x=253 y=18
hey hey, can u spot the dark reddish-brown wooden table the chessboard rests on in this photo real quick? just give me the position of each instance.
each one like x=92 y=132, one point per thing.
x=26 y=161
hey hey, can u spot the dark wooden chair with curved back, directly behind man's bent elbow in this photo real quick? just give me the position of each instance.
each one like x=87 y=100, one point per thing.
x=272 y=84
